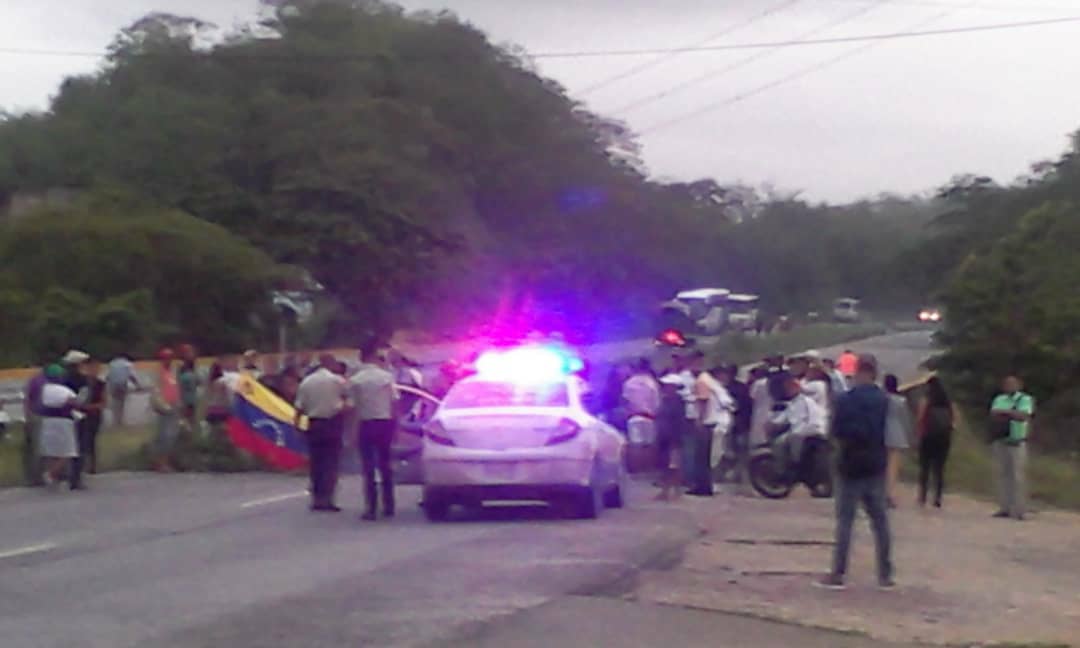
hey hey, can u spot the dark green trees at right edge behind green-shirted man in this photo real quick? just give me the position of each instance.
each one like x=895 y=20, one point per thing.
x=1010 y=256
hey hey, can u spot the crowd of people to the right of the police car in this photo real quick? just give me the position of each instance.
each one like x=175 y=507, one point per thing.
x=708 y=422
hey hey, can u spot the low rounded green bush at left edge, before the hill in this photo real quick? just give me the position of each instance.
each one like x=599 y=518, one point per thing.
x=114 y=276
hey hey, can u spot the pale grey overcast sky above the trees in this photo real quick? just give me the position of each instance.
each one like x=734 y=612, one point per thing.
x=901 y=116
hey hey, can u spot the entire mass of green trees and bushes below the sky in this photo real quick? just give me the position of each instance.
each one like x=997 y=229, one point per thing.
x=335 y=144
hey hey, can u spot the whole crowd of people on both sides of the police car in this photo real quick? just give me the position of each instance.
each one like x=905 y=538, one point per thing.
x=705 y=423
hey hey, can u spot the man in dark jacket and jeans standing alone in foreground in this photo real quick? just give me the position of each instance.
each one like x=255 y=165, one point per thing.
x=859 y=426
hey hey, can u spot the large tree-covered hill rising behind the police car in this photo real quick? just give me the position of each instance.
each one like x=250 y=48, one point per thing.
x=427 y=178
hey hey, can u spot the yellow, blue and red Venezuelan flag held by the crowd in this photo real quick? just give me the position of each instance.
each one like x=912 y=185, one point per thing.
x=262 y=424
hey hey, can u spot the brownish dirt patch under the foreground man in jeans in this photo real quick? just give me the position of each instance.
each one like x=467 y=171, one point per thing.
x=966 y=578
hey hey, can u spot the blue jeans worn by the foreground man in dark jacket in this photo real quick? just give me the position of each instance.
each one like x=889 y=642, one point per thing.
x=871 y=493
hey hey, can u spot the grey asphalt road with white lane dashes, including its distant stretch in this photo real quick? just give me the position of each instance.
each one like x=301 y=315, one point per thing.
x=237 y=561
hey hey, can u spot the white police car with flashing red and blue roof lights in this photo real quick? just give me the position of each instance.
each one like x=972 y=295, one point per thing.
x=518 y=430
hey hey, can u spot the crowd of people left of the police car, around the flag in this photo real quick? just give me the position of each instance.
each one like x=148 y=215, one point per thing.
x=65 y=407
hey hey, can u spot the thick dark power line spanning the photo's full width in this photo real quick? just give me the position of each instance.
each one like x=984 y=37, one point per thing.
x=642 y=52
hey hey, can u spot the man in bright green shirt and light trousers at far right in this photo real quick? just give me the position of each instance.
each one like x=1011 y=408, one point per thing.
x=1010 y=453
